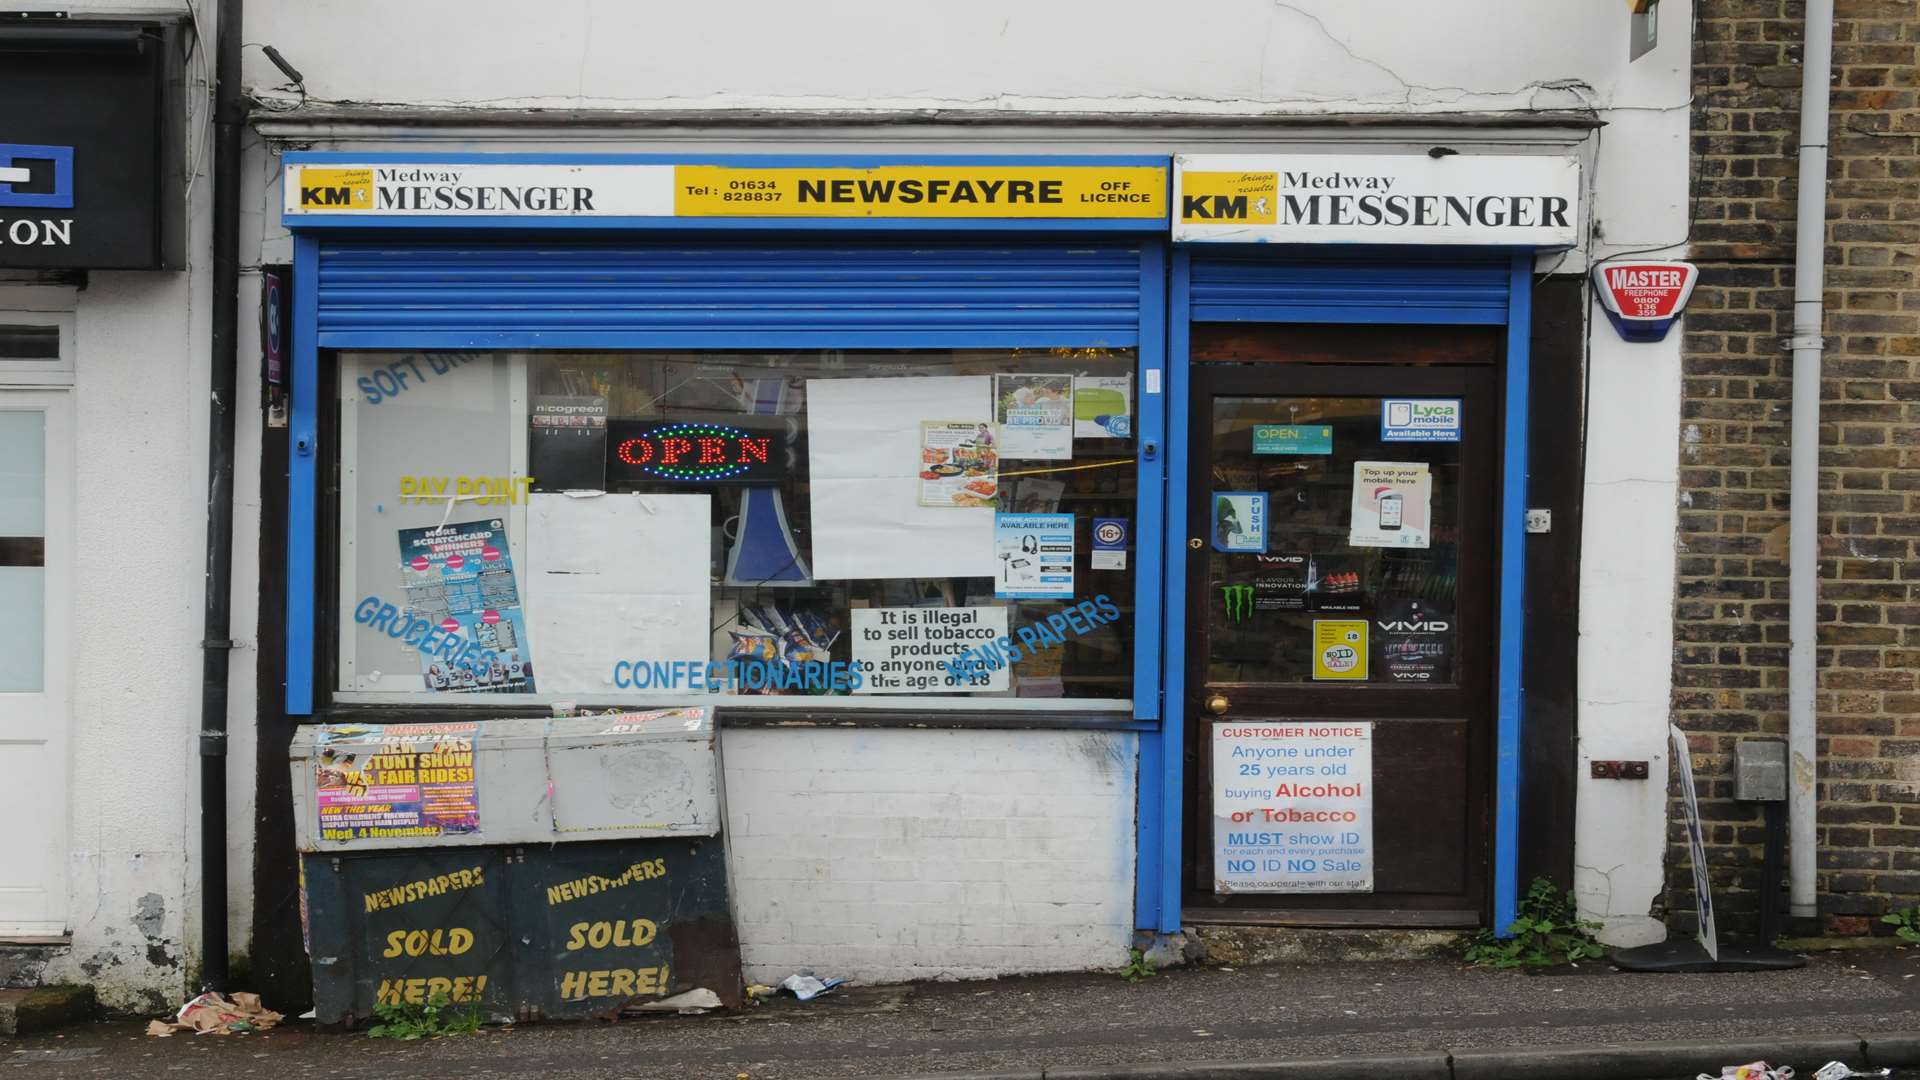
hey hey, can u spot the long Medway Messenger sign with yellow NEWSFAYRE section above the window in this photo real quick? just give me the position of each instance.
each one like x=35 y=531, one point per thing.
x=612 y=189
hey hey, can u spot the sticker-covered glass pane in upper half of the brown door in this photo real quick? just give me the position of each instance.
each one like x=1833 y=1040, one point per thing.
x=1335 y=554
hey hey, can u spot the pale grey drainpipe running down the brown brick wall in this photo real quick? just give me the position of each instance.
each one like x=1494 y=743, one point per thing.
x=1804 y=514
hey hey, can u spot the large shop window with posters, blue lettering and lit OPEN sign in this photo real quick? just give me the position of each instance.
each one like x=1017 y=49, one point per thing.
x=911 y=529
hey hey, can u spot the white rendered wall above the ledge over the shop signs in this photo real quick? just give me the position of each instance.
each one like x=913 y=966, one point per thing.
x=994 y=55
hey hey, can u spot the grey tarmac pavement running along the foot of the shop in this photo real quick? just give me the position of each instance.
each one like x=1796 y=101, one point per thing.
x=1437 y=1019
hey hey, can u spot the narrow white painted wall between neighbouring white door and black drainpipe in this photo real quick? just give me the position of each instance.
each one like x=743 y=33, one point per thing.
x=141 y=380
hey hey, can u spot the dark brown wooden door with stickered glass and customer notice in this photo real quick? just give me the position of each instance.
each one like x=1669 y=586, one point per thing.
x=1301 y=418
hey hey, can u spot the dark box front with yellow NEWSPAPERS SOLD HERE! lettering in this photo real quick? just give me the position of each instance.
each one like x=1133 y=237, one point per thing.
x=567 y=931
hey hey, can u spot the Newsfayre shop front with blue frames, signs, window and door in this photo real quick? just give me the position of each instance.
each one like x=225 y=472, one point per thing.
x=1070 y=547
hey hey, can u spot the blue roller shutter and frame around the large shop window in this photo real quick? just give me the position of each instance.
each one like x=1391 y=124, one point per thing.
x=358 y=285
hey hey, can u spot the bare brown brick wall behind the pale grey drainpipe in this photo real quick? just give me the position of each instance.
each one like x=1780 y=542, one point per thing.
x=1731 y=652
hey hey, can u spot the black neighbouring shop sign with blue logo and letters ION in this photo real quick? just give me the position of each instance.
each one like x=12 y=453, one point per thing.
x=91 y=147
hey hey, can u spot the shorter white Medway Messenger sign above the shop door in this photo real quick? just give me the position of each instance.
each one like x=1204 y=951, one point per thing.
x=1378 y=199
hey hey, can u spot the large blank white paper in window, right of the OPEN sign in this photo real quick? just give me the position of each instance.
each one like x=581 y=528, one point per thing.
x=863 y=454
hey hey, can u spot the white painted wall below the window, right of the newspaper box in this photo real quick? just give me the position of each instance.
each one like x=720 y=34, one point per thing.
x=890 y=856
